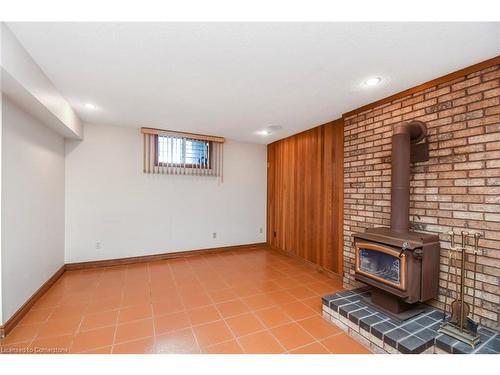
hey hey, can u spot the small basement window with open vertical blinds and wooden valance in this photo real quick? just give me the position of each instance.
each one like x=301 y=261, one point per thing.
x=178 y=153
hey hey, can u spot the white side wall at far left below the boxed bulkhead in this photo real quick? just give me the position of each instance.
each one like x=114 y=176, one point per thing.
x=32 y=205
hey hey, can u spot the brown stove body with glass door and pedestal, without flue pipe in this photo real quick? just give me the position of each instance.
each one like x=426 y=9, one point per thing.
x=403 y=268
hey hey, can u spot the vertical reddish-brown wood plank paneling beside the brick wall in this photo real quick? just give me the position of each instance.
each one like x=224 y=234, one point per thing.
x=305 y=195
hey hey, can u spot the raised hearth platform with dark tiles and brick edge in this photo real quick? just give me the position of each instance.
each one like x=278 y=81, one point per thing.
x=383 y=334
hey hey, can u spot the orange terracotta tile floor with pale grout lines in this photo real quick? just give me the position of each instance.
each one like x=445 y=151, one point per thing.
x=249 y=301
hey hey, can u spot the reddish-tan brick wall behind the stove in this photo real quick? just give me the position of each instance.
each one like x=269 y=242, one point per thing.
x=459 y=187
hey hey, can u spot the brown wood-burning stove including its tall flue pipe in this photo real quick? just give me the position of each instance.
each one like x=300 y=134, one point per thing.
x=402 y=266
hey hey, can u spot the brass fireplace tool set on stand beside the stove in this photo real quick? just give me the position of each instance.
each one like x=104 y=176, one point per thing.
x=460 y=325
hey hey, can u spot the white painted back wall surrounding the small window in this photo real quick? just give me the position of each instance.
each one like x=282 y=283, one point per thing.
x=109 y=199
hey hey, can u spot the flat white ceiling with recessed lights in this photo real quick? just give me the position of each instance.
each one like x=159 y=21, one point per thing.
x=233 y=79
